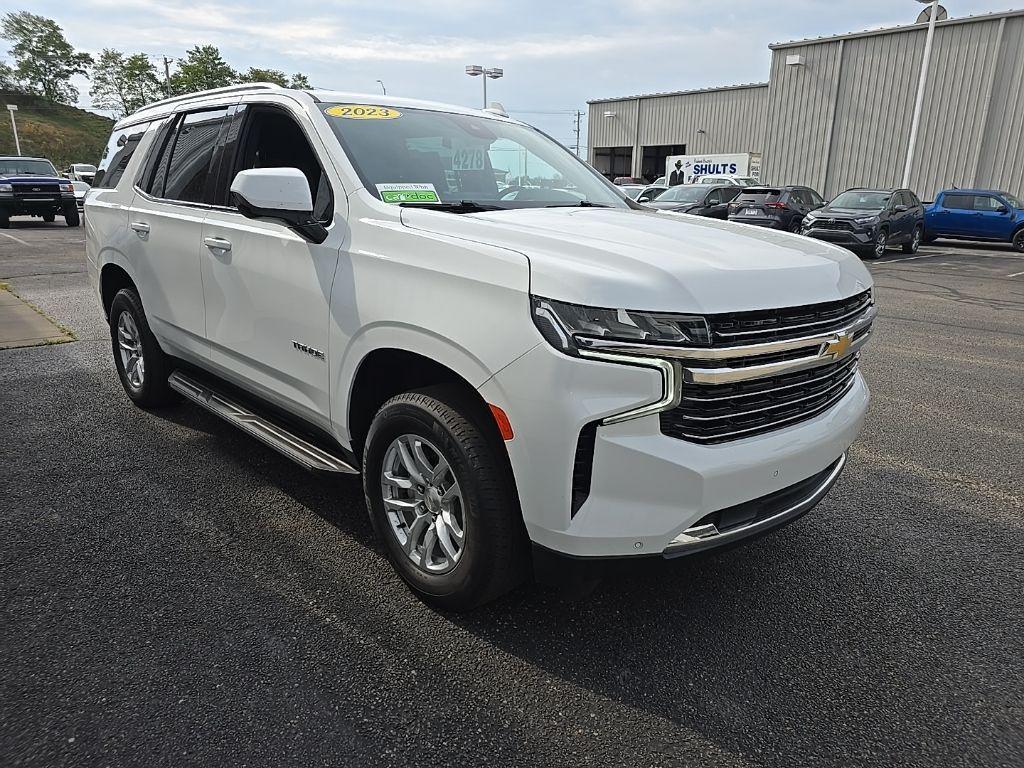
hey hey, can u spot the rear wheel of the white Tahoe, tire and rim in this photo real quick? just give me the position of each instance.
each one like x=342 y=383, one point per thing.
x=142 y=365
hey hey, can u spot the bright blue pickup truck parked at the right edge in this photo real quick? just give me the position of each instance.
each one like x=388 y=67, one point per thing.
x=976 y=215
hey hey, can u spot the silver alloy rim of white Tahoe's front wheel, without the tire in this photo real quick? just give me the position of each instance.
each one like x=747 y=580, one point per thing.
x=424 y=504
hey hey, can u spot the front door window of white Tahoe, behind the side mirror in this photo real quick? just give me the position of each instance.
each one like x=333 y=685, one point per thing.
x=272 y=139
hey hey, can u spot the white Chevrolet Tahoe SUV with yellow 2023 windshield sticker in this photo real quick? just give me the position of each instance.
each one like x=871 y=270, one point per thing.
x=554 y=376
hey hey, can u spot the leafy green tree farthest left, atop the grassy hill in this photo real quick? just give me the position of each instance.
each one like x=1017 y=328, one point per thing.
x=45 y=60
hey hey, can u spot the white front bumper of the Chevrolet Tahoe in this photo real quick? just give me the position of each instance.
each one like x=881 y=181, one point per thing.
x=648 y=491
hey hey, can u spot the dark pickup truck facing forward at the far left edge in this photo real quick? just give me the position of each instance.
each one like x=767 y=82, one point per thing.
x=31 y=187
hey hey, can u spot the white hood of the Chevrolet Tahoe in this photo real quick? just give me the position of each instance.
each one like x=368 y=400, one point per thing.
x=654 y=262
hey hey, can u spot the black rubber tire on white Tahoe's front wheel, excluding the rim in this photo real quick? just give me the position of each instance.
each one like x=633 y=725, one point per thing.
x=494 y=557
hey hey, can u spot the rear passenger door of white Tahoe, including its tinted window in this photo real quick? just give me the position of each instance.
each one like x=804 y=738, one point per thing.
x=166 y=224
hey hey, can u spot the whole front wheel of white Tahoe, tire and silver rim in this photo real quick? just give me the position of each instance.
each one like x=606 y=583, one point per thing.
x=442 y=501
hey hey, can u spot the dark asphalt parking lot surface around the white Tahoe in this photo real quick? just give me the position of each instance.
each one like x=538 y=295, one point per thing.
x=172 y=592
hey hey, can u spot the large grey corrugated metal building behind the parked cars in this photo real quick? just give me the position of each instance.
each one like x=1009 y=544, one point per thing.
x=837 y=113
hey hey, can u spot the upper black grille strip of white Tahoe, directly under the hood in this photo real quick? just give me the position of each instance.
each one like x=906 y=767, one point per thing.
x=791 y=323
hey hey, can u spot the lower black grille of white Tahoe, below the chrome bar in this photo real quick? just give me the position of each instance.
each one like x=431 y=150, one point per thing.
x=710 y=414
